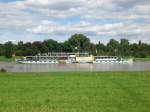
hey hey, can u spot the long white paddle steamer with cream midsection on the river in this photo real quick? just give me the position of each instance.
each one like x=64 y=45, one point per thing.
x=54 y=58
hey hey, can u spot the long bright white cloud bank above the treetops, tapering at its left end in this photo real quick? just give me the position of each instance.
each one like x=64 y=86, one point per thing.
x=118 y=30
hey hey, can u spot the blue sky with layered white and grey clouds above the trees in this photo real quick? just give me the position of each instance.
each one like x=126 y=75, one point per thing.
x=99 y=20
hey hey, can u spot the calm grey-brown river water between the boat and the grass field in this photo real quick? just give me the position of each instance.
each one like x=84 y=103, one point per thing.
x=14 y=67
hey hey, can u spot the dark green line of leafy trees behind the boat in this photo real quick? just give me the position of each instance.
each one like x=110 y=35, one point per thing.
x=76 y=43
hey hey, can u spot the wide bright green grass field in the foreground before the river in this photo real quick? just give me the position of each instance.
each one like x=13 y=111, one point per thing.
x=75 y=92
